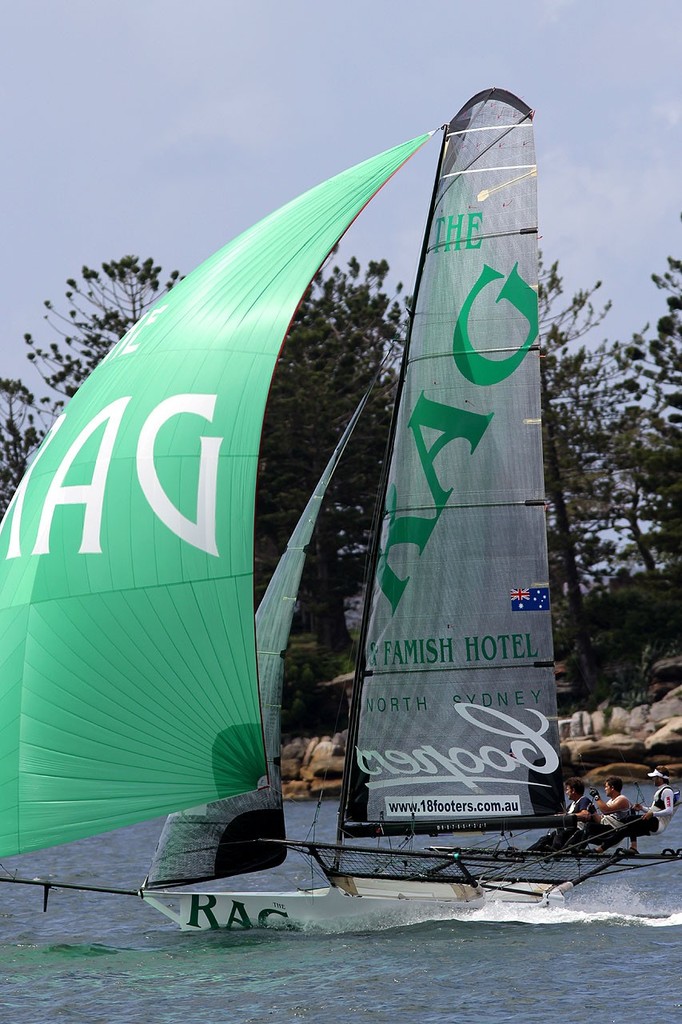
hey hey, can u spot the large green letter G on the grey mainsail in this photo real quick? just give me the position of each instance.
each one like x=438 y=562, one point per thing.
x=477 y=368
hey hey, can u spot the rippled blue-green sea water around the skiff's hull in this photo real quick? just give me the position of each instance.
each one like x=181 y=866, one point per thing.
x=97 y=959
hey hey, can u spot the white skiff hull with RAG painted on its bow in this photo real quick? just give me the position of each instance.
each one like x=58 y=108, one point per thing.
x=326 y=908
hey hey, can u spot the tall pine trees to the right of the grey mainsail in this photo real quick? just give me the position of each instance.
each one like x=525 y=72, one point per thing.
x=612 y=483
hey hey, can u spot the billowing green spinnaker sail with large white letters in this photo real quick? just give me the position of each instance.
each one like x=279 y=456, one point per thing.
x=129 y=684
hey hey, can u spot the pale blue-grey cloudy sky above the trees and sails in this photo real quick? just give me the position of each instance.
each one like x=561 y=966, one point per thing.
x=164 y=129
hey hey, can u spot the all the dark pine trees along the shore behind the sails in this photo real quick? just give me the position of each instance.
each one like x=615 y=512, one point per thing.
x=613 y=422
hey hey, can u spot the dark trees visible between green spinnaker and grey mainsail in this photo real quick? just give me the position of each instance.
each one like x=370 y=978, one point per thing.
x=340 y=342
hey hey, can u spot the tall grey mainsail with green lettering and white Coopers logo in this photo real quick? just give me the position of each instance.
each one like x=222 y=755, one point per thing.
x=454 y=718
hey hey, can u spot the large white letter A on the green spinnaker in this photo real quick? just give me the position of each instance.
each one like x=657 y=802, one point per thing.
x=91 y=495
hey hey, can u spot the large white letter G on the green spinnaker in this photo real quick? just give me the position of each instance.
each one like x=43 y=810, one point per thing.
x=202 y=533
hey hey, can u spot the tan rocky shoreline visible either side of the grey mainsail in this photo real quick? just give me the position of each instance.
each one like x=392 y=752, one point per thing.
x=611 y=741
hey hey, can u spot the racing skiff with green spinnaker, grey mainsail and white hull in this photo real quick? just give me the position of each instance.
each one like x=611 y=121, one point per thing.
x=137 y=679
